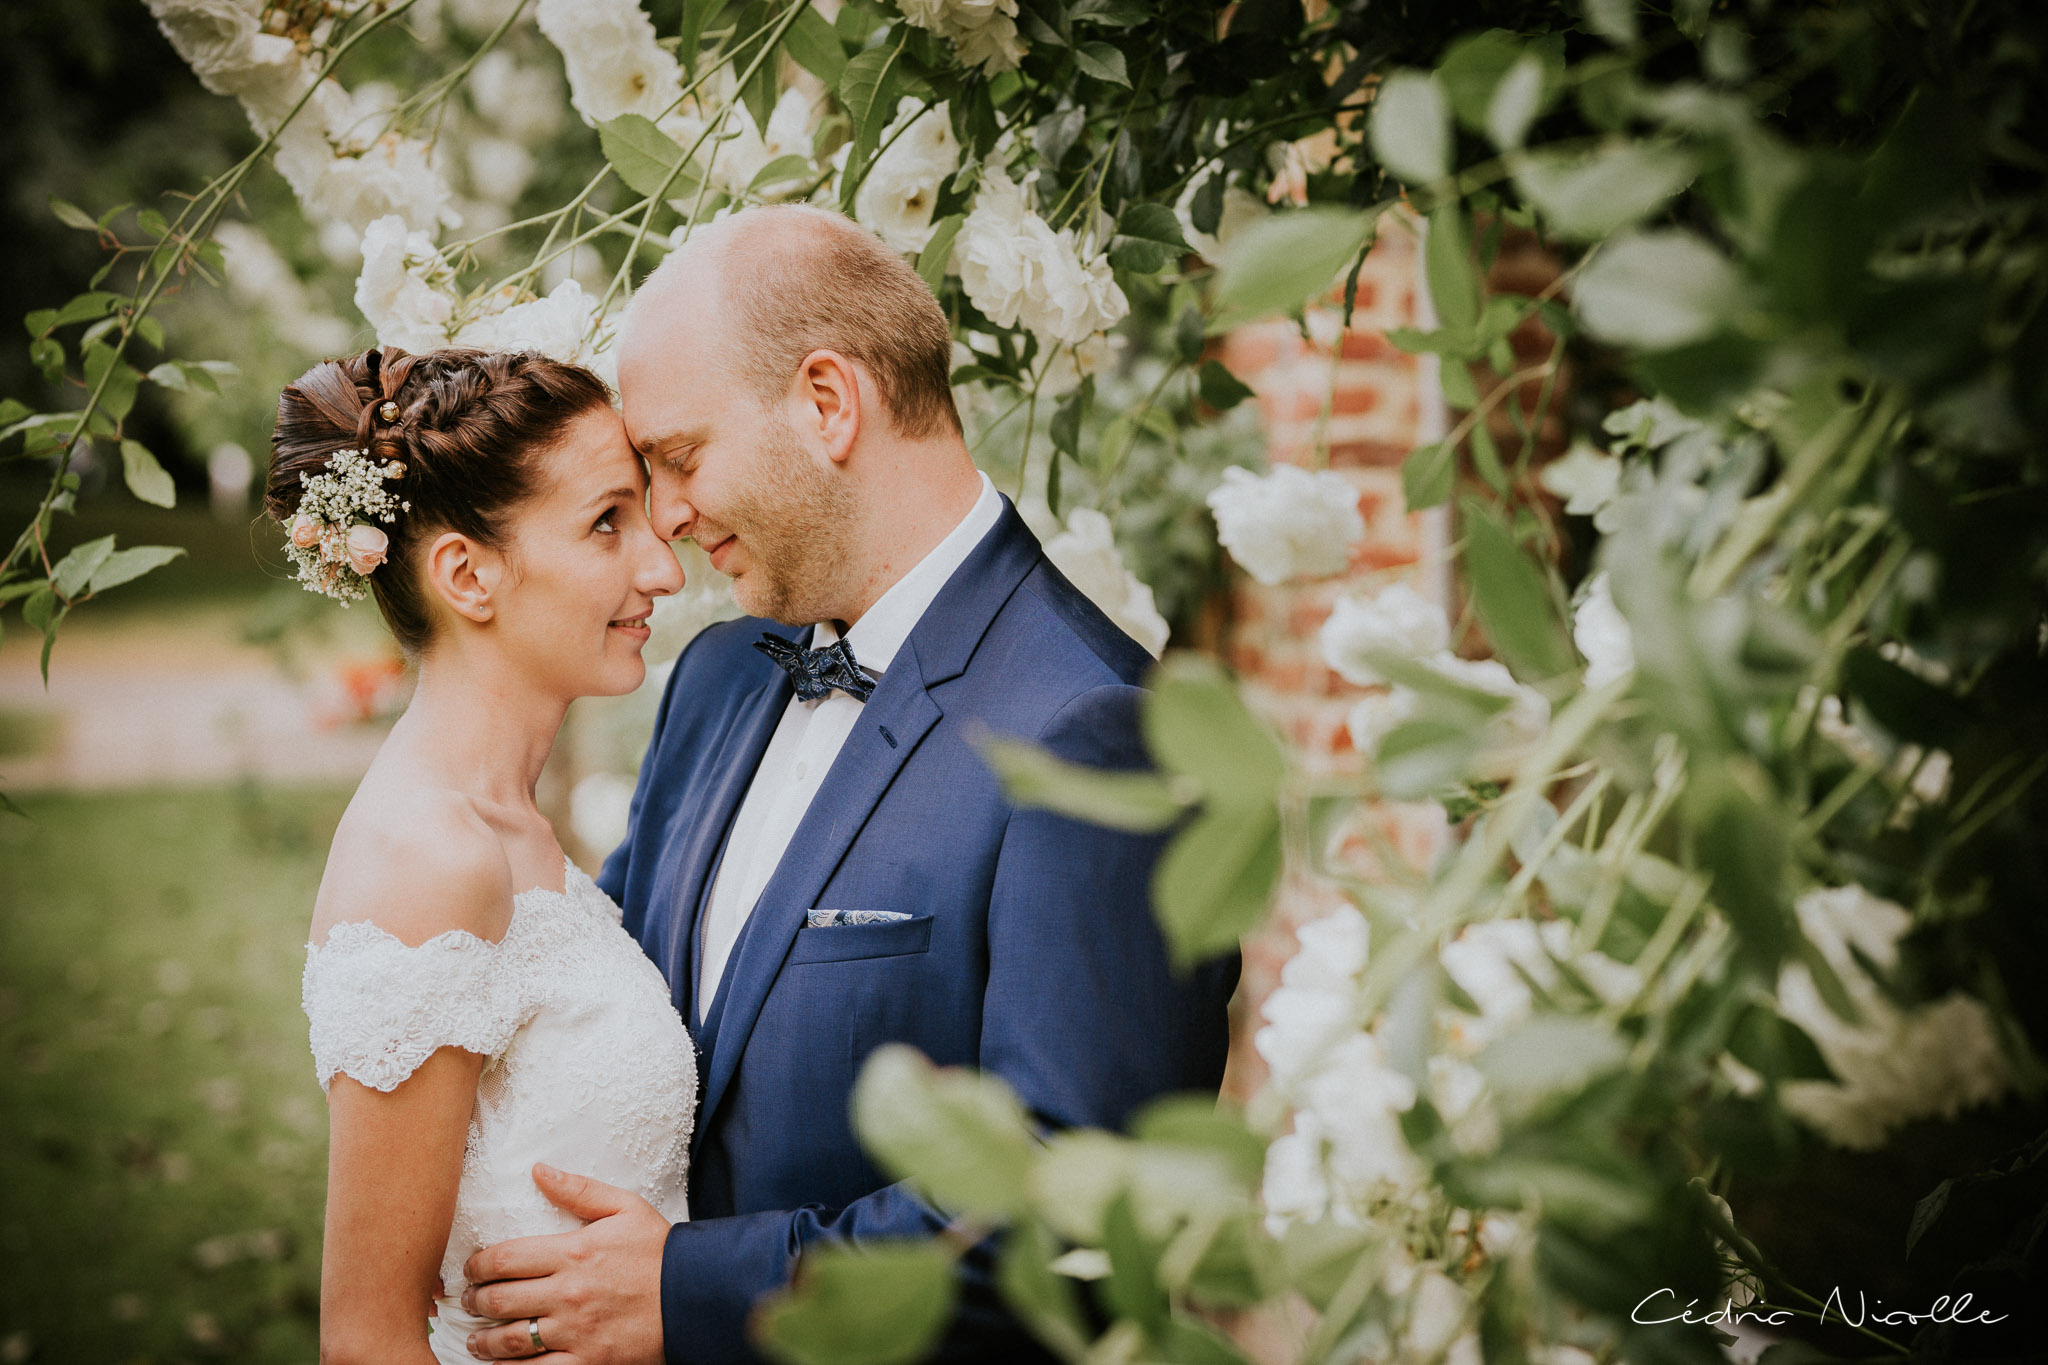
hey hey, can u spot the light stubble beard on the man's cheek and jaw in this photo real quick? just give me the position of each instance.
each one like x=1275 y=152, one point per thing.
x=798 y=529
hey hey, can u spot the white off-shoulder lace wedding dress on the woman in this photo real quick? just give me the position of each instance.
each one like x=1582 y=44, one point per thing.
x=589 y=1065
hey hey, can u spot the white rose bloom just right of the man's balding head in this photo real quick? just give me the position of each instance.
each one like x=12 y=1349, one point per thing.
x=1019 y=271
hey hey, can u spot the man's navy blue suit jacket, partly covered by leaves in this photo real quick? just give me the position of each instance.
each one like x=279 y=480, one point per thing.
x=1029 y=951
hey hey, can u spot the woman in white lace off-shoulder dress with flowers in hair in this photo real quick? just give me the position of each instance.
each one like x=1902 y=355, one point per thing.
x=476 y=1008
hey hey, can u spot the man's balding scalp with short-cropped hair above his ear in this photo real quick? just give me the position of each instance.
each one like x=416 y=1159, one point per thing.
x=771 y=285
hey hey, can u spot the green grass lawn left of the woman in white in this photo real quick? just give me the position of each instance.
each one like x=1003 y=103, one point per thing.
x=163 y=1141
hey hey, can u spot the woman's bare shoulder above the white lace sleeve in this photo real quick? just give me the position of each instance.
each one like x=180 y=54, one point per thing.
x=415 y=863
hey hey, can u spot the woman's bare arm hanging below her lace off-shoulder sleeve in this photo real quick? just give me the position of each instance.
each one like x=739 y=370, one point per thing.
x=394 y=1163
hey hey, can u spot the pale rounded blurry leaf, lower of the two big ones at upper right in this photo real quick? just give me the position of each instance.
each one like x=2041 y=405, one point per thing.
x=1656 y=290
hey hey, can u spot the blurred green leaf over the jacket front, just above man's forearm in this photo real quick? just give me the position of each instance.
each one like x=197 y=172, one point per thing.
x=959 y=1137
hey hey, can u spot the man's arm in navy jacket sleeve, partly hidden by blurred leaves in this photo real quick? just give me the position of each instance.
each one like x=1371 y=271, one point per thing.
x=1084 y=1018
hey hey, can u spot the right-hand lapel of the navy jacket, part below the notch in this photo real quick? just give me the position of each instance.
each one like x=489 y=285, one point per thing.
x=859 y=779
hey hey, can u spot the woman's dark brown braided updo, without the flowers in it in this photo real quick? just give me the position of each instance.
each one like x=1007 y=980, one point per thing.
x=468 y=427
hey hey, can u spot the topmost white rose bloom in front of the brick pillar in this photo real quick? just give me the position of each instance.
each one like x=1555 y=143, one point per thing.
x=1287 y=523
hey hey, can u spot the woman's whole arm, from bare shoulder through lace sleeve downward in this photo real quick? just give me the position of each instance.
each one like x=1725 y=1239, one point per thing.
x=402 y=1022
